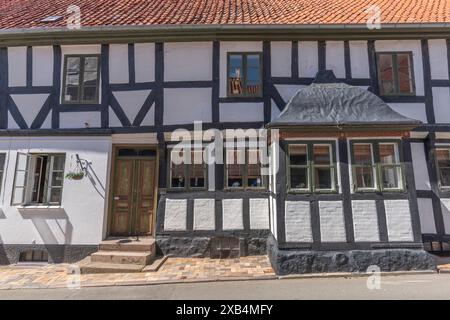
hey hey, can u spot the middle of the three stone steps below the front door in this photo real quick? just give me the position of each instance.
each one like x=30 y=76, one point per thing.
x=123 y=257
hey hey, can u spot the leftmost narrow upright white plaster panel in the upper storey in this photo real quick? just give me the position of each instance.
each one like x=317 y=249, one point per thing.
x=17 y=66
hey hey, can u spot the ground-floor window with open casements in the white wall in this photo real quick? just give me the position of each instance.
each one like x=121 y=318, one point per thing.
x=38 y=179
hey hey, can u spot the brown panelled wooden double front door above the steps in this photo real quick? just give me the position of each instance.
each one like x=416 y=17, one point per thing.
x=133 y=193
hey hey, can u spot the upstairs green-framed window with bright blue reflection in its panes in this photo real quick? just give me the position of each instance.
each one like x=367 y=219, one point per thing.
x=244 y=74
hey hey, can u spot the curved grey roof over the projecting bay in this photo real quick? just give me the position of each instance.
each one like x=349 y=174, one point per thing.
x=338 y=104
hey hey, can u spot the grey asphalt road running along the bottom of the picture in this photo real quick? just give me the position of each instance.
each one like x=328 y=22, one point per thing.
x=425 y=286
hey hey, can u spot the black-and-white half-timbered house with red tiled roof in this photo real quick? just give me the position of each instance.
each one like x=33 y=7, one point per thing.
x=360 y=174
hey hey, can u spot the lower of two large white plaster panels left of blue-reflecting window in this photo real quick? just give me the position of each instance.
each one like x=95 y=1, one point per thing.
x=186 y=105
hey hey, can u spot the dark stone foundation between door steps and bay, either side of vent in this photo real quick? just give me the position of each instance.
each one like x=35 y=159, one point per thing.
x=201 y=246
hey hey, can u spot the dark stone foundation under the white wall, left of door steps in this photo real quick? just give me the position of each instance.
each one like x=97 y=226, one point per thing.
x=9 y=253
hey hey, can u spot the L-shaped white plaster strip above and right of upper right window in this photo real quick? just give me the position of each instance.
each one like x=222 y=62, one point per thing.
x=402 y=46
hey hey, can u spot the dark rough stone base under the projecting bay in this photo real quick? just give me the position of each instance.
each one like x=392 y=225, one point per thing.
x=286 y=262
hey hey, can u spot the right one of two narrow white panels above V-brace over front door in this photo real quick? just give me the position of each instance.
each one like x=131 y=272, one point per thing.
x=144 y=61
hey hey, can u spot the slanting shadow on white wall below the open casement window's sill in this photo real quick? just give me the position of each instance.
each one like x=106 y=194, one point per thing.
x=62 y=230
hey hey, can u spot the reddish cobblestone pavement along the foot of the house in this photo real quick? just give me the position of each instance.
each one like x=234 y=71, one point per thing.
x=174 y=270
